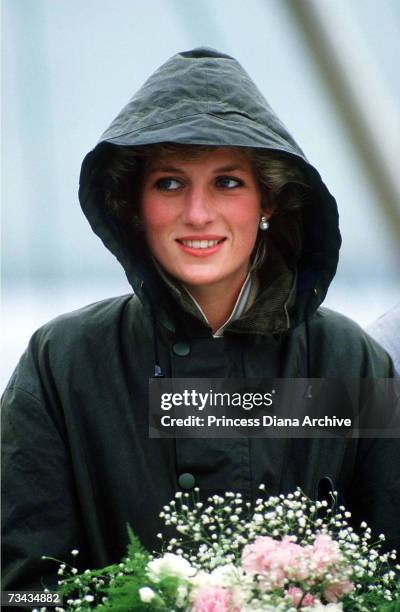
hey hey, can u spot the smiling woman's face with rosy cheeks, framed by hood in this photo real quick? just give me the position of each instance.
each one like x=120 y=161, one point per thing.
x=201 y=216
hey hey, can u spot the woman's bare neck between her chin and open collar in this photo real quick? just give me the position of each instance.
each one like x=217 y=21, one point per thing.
x=217 y=302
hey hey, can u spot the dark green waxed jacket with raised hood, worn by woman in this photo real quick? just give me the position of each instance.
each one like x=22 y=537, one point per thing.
x=78 y=464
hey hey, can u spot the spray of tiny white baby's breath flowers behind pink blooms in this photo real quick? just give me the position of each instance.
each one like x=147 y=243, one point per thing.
x=213 y=534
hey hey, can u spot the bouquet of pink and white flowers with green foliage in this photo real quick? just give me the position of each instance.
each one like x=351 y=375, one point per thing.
x=286 y=553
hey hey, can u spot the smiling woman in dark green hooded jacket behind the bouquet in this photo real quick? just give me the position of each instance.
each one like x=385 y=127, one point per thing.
x=229 y=239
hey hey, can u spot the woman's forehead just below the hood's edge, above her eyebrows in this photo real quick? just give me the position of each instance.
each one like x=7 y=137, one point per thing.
x=216 y=157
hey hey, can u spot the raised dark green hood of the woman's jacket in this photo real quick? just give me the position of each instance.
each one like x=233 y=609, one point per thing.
x=205 y=97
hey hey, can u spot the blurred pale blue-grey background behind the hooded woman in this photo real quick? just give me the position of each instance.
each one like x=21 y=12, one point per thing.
x=329 y=68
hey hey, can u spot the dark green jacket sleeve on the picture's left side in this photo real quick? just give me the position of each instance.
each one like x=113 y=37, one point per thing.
x=40 y=511
